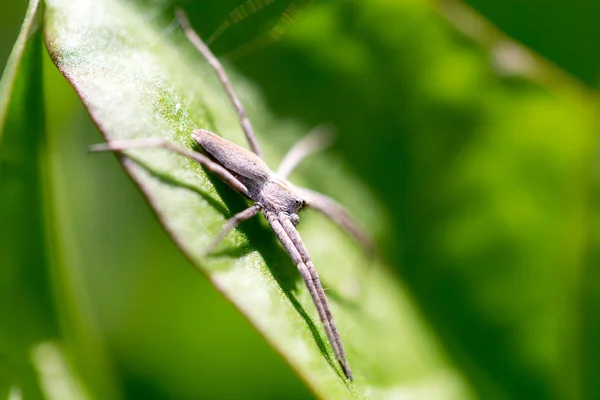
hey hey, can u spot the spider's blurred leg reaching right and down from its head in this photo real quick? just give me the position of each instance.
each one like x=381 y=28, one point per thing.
x=338 y=214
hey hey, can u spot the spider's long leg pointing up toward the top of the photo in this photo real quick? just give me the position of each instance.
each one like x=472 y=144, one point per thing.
x=214 y=62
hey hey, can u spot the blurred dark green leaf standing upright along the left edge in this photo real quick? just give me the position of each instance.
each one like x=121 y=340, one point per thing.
x=38 y=322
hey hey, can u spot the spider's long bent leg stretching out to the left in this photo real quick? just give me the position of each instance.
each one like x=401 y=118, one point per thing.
x=121 y=145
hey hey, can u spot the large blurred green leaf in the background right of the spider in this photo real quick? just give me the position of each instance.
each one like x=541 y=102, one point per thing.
x=484 y=173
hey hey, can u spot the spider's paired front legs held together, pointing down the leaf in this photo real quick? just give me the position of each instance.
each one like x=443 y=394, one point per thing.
x=281 y=226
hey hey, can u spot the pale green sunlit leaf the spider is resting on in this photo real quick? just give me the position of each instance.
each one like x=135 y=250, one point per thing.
x=136 y=80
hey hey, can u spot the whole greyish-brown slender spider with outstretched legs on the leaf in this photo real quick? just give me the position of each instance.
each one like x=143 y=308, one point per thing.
x=273 y=195
